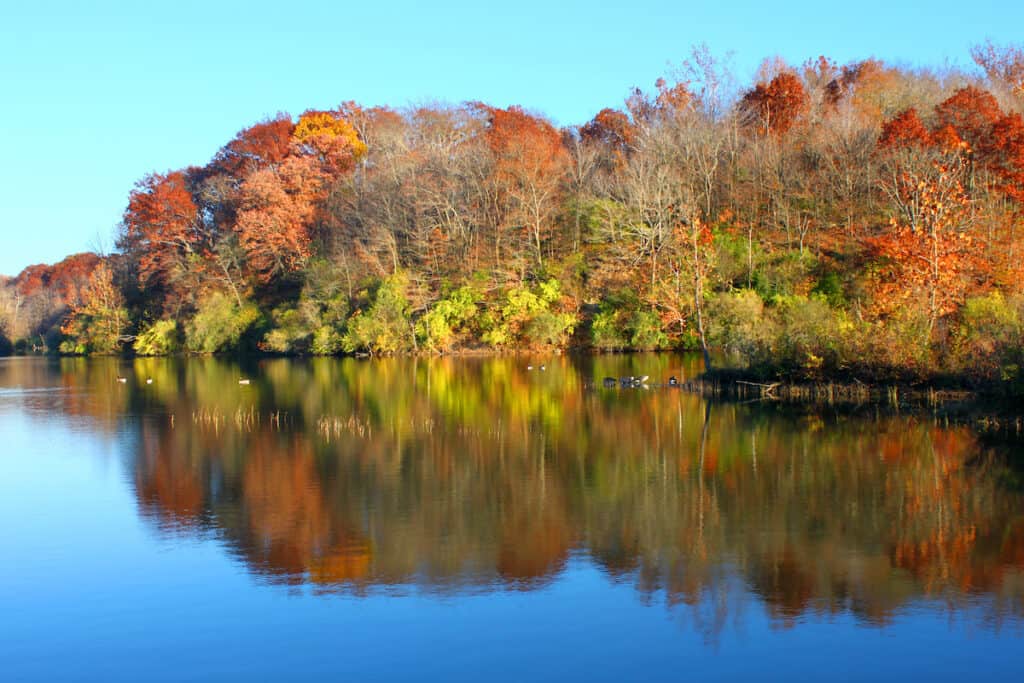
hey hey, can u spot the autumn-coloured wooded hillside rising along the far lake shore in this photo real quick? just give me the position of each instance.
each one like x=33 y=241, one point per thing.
x=844 y=222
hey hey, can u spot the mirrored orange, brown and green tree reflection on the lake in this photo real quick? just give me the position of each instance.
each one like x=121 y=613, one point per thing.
x=474 y=476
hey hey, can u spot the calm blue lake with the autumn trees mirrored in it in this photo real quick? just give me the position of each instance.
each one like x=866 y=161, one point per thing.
x=470 y=520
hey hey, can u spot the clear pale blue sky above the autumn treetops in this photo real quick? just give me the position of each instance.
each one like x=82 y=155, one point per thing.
x=97 y=95
